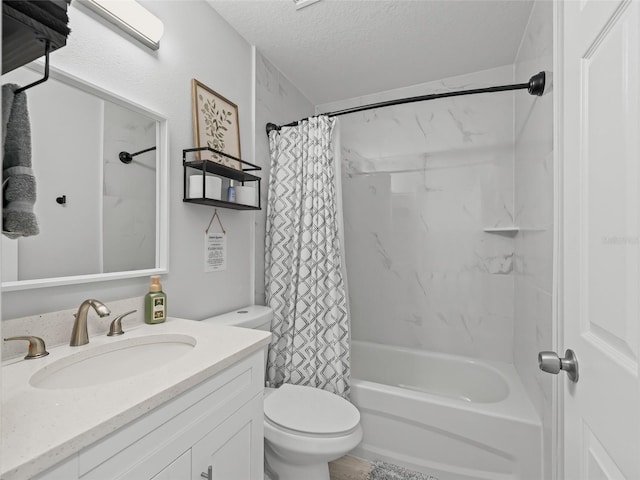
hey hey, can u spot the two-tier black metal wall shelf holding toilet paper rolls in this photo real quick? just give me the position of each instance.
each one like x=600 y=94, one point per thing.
x=191 y=163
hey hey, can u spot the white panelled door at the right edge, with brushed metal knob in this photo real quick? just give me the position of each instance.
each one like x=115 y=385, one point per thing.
x=601 y=229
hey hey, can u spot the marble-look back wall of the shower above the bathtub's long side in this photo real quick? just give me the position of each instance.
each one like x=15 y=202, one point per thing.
x=420 y=182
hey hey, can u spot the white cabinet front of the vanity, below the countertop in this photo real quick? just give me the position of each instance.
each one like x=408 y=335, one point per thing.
x=218 y=423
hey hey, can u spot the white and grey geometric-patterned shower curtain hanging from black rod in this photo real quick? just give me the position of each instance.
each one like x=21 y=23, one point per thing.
x=305 y=281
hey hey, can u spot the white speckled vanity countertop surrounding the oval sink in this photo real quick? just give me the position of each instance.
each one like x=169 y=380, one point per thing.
x=41 y=427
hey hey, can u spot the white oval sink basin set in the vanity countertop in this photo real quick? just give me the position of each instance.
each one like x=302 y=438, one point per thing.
x=111 y=362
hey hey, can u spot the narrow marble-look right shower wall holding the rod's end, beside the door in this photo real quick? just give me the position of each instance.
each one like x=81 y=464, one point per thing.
x=534 y=214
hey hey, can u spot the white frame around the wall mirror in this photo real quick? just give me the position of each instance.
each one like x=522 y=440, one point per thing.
x=162 y=191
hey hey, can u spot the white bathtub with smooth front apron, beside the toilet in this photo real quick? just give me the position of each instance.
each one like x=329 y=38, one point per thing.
x=448 y=416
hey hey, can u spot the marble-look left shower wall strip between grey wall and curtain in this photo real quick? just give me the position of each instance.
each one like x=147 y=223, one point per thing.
x=277 y=101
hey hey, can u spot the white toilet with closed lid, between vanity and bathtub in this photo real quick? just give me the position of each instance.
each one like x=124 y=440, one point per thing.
x=304 y=427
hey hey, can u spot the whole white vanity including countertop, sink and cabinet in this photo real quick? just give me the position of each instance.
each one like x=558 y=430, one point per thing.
x=197 y=413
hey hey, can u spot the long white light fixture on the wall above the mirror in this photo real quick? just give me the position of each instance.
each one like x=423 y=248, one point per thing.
x=131 y=17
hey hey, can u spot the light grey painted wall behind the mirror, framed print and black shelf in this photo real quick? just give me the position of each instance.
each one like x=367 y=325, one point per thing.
x=197 y=43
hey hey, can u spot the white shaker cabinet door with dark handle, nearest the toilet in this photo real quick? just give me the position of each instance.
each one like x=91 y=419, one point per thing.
x=234 y=449
